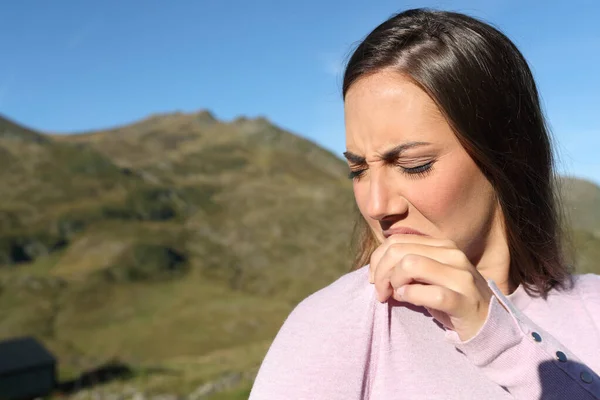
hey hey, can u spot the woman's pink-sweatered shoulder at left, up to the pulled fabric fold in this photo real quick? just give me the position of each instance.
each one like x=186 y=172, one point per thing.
x=320 y=345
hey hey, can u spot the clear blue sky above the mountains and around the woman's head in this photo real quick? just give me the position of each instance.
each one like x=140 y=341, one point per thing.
x=70 y=66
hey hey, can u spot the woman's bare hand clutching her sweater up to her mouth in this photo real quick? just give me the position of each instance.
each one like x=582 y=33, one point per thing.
x=435 y=274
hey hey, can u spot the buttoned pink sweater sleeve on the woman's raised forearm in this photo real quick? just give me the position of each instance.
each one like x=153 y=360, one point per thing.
x=524 y=359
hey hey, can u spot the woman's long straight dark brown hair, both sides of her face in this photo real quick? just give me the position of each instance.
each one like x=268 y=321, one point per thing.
x=485 y=89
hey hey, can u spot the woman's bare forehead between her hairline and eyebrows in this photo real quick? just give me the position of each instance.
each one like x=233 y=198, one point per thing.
x=388 y=108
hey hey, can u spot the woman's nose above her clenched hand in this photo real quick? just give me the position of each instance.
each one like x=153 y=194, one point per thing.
x=385 y=199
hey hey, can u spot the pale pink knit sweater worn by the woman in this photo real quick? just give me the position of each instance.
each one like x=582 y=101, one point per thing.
x=341 y=343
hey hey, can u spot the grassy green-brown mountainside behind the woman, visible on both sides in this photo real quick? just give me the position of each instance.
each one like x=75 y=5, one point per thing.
x=177 y=245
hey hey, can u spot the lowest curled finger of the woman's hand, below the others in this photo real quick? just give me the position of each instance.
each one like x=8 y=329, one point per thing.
x=432 y=296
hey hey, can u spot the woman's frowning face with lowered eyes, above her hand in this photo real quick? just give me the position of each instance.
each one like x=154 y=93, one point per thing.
x=411 y=175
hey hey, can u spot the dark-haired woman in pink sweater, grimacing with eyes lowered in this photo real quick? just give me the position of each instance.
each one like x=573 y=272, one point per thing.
x=466 y=294
